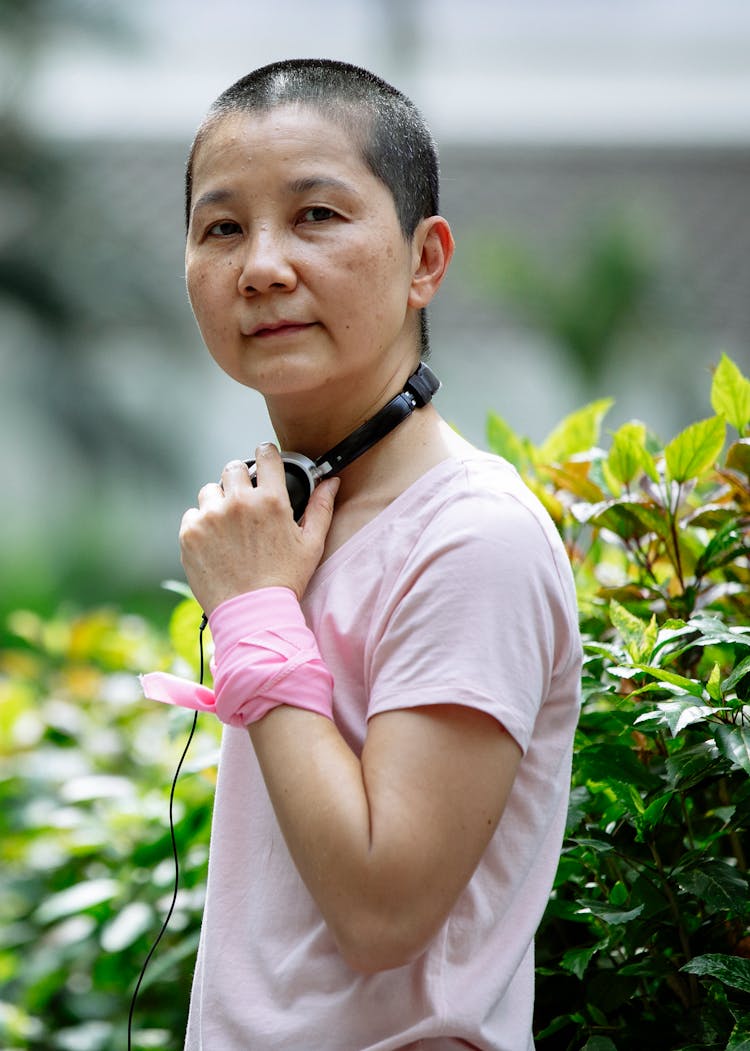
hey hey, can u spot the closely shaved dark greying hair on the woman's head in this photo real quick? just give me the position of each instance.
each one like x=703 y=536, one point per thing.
x=394 y=140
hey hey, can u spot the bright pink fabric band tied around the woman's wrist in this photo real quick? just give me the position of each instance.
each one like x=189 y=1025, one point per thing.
x=256 y=668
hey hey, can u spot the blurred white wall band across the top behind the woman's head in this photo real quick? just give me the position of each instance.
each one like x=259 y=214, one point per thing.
x=529 y=71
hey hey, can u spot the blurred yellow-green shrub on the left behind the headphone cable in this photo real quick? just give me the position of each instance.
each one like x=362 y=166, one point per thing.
x=87 y=853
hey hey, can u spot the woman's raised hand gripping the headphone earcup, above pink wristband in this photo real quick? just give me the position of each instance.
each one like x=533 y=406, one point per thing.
x=242 y=538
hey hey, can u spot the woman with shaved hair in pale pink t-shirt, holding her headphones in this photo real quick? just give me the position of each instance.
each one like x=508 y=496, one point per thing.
x=400 y=669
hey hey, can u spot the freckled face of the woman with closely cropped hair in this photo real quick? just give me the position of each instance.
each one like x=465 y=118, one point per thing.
x=298 y=272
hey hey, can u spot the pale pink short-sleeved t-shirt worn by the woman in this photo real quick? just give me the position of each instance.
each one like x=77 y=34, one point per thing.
x=460 y=592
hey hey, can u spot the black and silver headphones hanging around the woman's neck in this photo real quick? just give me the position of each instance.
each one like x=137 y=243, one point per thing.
x=303 y=473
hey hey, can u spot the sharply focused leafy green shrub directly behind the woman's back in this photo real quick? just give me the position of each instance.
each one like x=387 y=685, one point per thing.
x=647 y=942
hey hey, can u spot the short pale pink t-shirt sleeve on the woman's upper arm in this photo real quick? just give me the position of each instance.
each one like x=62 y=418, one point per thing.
x=476 y=616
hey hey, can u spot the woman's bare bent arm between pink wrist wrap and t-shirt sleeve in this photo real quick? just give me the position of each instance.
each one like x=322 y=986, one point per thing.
x=387 y=844
